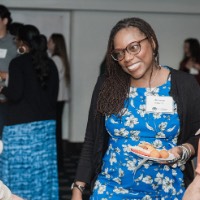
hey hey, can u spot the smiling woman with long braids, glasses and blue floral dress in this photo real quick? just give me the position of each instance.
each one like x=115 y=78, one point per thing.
x=138 y=101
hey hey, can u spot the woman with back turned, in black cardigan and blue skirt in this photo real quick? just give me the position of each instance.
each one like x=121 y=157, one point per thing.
x=28 y=164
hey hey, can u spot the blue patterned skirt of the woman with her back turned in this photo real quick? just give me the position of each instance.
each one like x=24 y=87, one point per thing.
x=28 y=164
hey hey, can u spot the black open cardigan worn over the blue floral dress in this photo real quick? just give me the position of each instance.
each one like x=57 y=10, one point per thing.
x=186 y=93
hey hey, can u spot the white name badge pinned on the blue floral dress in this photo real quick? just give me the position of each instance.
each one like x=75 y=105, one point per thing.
x=159 y=104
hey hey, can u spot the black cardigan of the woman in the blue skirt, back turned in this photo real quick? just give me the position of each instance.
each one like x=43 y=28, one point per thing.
x=27 y=100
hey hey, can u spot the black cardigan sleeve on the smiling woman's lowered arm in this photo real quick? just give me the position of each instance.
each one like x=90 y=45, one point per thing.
x=85 y=167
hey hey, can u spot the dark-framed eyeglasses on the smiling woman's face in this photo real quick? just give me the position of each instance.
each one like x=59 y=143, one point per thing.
x=132 y=48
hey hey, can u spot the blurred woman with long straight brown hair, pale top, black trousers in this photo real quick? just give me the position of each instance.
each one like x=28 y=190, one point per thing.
x=57 y=49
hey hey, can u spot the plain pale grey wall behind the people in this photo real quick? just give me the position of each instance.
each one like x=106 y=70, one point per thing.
x=86 y=25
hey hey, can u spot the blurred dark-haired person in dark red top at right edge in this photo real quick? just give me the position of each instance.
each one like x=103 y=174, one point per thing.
x=191 y=58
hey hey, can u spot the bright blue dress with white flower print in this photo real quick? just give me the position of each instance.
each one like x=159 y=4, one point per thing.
x=118 y=179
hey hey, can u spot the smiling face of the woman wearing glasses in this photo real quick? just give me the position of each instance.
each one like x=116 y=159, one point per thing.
x=139 y=65
